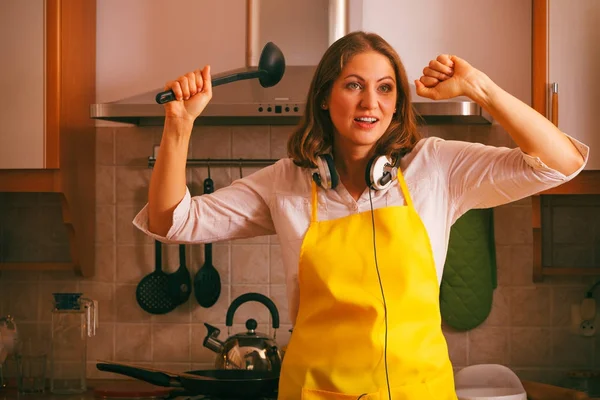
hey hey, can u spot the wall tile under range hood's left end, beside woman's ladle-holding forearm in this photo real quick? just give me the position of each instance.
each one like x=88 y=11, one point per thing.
x=134 y=145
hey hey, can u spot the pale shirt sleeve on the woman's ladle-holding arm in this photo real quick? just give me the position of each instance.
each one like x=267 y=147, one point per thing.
x=240 y=210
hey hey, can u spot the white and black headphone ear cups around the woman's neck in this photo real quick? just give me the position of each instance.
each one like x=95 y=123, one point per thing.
x=379 y=174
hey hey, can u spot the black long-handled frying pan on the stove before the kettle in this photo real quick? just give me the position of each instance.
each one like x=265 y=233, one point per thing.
x=224 y=383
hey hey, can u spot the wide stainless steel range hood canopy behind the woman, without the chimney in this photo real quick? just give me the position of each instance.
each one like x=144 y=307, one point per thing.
x=246 y=102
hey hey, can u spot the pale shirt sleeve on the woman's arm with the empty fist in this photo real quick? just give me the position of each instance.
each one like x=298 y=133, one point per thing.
x=481 y=176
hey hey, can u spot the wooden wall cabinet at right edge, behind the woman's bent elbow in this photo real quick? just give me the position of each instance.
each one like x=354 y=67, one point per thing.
x=565 y=52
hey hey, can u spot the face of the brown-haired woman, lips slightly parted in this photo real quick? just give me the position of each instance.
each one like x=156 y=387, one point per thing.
x=362 y=100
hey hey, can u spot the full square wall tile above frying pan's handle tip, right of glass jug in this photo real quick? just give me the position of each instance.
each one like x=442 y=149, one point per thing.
x=133 y=342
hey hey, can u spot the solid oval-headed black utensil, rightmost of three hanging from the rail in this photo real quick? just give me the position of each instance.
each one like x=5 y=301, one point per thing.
x=207 y=282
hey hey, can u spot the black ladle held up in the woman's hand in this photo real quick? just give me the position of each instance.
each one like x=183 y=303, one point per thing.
x=271 y=67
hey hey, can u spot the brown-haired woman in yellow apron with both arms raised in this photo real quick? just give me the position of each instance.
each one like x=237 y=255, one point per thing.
x=363 y=253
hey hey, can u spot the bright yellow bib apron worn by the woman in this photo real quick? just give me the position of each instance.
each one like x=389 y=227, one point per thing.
x=337 y=349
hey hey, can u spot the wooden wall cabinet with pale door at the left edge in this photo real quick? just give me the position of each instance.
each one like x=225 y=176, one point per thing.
x=47 y=139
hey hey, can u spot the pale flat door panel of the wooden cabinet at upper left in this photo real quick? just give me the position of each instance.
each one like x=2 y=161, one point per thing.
x=22 y=38
